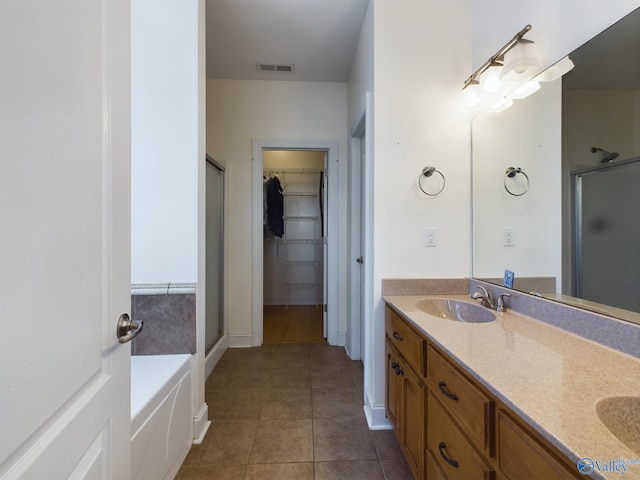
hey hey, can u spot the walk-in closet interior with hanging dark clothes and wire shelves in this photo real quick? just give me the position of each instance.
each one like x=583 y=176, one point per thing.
x=294 y=222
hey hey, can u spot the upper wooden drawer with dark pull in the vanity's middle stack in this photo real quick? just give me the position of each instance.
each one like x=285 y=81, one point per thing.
x=471 y=408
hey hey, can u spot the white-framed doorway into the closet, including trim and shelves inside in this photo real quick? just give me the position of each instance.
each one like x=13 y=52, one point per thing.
x=305 y=264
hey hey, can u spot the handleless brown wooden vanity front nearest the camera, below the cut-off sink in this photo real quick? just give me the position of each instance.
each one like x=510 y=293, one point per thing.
x=521 y=456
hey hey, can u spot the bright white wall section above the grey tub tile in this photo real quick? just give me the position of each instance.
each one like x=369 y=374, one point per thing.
x=164 y=145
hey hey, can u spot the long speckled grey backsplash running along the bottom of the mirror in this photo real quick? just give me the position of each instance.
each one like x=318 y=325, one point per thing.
x=611 y=332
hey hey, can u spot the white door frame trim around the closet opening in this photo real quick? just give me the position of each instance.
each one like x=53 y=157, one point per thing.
x=257 y=279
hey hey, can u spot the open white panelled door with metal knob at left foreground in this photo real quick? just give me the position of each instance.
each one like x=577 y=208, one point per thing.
x=64 y=238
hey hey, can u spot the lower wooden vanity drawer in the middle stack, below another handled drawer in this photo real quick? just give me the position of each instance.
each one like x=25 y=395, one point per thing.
x=451 y=450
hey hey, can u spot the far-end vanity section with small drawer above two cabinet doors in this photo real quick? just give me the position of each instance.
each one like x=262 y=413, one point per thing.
x=406 y=390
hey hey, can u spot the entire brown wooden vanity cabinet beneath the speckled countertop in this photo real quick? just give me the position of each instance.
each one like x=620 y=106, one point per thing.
x=449 y=426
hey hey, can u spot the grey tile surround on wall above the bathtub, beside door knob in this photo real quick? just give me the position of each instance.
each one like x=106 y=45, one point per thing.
x=169 y=322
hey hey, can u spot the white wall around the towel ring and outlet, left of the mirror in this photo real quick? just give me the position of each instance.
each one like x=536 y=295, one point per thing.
x=419 y=63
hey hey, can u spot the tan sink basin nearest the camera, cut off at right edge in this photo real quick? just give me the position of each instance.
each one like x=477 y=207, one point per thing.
x=621 y=416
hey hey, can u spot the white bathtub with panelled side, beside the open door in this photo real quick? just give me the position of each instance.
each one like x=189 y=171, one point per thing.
x=161 y=415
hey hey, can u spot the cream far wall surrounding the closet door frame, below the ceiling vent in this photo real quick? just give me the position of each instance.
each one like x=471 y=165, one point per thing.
x=239 y=111
